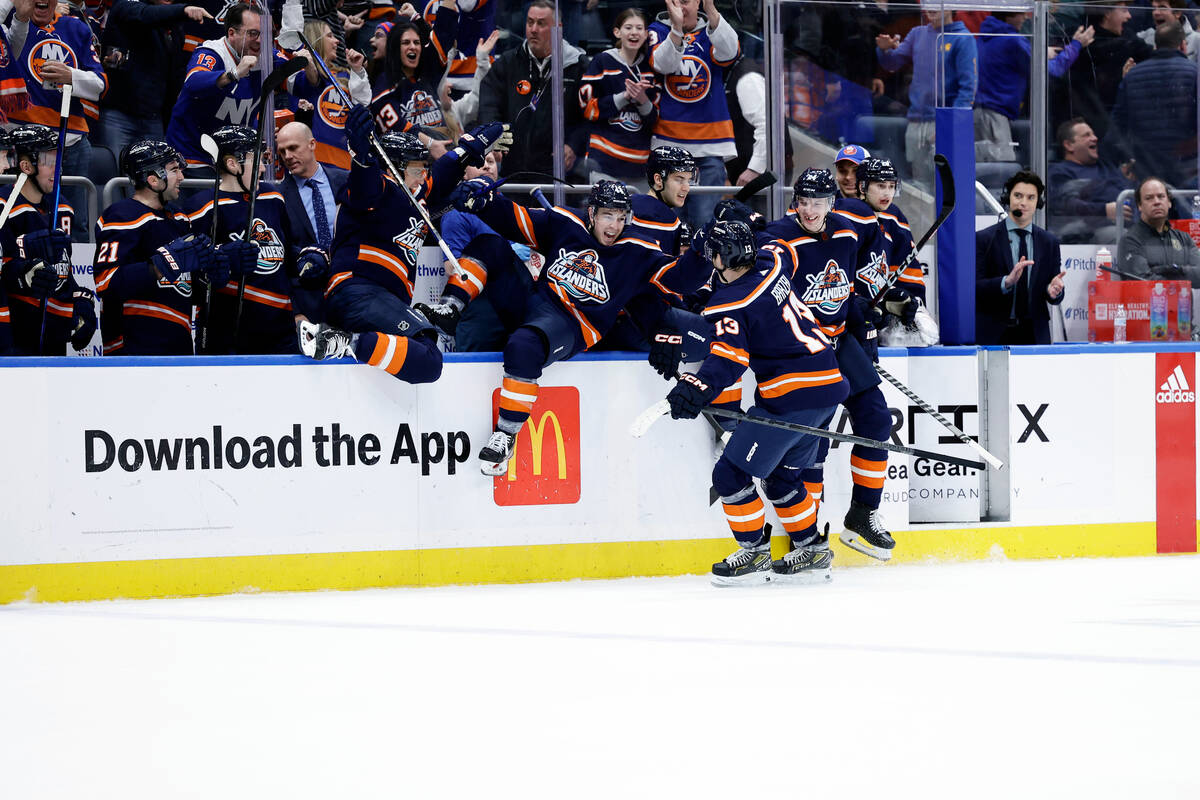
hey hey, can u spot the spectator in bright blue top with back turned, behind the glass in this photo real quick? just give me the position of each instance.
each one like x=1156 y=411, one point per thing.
x=943 y=55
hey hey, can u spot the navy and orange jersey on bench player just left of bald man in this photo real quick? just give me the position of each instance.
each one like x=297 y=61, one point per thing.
x=267 y=314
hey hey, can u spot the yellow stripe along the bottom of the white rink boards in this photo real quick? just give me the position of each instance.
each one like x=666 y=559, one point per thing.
x=539 y=563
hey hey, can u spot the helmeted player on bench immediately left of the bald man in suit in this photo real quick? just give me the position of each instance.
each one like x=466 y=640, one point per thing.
x=268 y=323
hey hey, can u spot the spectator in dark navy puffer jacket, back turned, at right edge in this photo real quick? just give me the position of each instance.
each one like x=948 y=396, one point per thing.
x=1155 y=118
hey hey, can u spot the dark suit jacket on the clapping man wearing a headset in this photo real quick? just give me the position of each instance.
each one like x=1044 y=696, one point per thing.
x=994 y=261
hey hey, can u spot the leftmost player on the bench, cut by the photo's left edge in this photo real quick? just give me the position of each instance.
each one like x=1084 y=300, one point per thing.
x=49 y=308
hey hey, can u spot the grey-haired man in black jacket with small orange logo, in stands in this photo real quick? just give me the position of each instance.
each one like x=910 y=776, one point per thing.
x=515 y=92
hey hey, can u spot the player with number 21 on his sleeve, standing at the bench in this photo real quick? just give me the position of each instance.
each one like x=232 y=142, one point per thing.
x=148 y=262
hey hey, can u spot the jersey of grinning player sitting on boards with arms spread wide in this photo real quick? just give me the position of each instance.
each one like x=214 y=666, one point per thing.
x=593 y=282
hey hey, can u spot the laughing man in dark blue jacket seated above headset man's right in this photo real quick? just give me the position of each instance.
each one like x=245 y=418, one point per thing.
x=1083 y=191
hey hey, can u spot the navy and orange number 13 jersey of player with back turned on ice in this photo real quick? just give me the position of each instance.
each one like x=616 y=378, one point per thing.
x=763 y=326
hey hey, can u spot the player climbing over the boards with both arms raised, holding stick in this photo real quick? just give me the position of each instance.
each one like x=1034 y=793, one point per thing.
x=377 y=239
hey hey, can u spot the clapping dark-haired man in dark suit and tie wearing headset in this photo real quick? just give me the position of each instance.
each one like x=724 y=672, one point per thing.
x=1018 y=270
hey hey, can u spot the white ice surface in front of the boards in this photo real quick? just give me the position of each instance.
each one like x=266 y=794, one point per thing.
x=1053 y=679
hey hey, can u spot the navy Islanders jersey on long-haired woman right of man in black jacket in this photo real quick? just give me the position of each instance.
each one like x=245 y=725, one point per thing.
x=621 y=136
